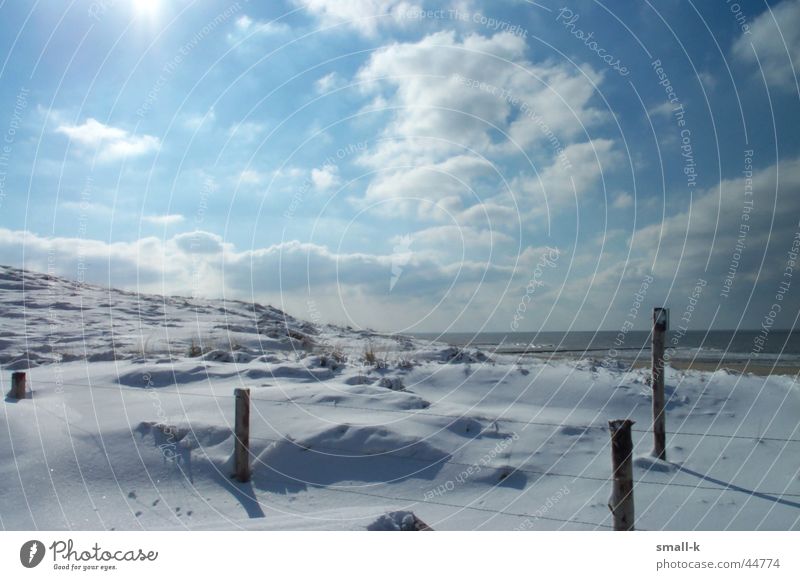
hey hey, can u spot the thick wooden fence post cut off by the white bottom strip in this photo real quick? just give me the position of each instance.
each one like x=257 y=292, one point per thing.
x=621 y=501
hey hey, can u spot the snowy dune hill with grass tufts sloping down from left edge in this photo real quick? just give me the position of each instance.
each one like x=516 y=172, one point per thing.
x=48 y=319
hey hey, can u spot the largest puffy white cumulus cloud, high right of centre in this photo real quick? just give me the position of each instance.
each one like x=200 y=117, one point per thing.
x=453 y=98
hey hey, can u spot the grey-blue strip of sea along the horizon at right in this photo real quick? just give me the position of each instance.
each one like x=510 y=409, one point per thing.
x=713 y=346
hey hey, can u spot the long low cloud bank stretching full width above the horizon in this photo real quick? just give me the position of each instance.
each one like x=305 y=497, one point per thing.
x=448 y=267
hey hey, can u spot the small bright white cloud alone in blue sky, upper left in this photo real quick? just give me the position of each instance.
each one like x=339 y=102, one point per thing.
x=112 y=142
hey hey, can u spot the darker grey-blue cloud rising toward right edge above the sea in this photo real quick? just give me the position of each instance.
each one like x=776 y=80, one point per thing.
x=718 y=240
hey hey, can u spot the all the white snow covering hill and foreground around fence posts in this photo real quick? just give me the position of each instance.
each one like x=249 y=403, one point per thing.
x=124 y=429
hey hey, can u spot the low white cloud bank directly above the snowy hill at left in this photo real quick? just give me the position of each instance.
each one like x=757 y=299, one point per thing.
x=286 y=274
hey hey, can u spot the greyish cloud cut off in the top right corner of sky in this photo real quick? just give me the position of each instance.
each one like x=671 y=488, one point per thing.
x=774 y=42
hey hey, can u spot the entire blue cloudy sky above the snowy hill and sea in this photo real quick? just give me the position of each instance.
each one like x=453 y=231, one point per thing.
x=412 y=167
